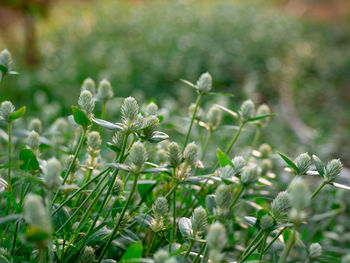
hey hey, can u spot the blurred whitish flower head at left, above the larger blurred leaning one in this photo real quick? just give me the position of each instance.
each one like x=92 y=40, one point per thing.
x=52 y=173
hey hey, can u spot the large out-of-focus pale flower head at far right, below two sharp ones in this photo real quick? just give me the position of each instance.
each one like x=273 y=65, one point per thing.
x=299 y=194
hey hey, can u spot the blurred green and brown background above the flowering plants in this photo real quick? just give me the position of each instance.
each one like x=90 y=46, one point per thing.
x=292 y=55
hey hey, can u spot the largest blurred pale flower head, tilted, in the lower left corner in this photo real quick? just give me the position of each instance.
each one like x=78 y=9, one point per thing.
x=36 y=214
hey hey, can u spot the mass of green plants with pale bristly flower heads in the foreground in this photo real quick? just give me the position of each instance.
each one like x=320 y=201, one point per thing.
x=88 y=189
